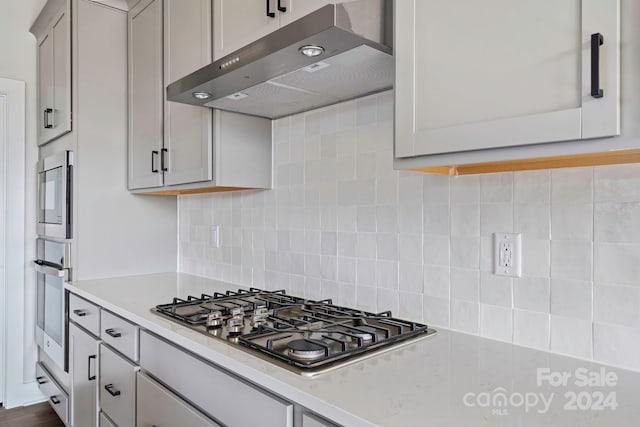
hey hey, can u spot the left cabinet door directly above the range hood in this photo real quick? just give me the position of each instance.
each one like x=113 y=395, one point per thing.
x=238 y=23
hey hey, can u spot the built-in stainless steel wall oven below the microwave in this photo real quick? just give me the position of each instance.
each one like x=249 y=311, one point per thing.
x=52 y=269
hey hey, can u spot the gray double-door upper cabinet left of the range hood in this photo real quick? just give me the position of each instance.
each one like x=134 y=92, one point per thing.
x=176 y=148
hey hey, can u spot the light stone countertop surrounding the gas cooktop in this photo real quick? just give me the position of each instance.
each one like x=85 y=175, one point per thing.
x=450 y=379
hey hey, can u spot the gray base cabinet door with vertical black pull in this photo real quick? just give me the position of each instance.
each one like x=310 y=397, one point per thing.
x=83 y=350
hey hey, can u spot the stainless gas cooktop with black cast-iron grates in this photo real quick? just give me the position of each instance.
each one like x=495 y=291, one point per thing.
x=307 y=337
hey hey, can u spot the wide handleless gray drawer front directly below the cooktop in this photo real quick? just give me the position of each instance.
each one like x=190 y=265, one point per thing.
x=222 y=396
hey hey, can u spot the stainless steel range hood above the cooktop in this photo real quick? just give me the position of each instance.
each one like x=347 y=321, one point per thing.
x=272 y=77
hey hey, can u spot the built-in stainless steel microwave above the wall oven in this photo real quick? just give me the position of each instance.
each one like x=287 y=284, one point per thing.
x=55 y=175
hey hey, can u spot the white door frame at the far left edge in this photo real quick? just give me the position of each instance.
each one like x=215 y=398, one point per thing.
x=17 y=390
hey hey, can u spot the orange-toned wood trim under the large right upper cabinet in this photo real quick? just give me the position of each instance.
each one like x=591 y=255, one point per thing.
x=569 y=161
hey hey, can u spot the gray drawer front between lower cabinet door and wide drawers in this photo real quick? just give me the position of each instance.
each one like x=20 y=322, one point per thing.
x=117 y=387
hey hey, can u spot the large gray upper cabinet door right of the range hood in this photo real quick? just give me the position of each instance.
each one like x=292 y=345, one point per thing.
x=476 y=75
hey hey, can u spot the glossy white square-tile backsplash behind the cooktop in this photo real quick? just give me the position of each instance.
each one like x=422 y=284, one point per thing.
x=340 y=223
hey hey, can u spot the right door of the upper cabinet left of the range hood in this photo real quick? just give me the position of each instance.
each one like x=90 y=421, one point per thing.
x=187 y=128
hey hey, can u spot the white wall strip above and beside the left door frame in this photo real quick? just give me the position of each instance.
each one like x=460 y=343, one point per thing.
x=18 y=61
